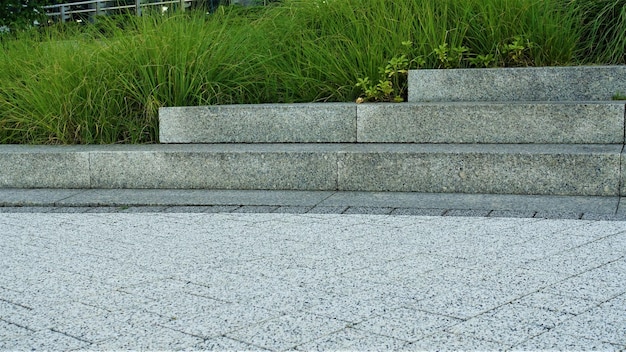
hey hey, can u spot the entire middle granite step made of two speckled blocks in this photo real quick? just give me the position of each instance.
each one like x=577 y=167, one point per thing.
x=469 y=122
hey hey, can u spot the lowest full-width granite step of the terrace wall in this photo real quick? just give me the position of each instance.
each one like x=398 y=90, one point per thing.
x=532 y=169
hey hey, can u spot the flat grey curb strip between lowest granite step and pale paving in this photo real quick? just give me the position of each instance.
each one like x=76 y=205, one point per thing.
x=329 y=202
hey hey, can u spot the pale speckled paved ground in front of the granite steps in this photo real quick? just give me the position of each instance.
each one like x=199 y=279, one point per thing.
x=105 y=278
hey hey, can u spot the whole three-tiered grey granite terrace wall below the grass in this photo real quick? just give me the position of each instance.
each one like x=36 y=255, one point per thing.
x=535 y=131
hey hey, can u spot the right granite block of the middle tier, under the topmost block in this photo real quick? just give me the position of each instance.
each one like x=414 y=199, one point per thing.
x=565 y=123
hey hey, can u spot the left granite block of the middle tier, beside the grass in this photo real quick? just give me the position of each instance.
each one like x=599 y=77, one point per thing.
x=259 y=123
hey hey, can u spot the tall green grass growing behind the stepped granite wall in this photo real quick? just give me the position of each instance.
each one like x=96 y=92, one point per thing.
x=104 y=83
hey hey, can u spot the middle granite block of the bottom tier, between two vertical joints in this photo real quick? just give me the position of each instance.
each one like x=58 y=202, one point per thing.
x=244 y=167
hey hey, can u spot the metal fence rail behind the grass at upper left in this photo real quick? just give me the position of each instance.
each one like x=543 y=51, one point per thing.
x=87 y=10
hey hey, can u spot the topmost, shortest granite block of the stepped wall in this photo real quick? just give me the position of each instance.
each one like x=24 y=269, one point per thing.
x=576 y=83
